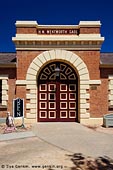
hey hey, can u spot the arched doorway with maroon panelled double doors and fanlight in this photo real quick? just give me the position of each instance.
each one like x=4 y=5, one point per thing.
x=57 y=94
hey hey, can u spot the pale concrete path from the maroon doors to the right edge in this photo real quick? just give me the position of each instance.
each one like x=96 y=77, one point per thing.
x=76 y=138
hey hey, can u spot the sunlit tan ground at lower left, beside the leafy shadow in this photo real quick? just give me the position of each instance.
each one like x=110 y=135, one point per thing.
x=32 y=153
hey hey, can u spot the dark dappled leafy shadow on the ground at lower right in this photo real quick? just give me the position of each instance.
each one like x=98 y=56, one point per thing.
x=82 y=162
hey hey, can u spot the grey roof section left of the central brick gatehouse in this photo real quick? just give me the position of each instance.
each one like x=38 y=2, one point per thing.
x=7 y=58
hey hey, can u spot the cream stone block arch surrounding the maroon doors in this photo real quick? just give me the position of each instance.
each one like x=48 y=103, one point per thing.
x=31 y=80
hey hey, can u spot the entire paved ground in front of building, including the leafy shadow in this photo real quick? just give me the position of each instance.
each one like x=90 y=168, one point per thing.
x=56 y=146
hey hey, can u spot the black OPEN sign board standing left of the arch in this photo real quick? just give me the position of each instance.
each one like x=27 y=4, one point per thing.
x=18 y=106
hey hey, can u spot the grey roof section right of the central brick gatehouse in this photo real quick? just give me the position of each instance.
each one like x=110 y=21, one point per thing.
x=106 y=59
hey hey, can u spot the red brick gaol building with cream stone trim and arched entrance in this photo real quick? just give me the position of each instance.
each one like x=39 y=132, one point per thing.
x=60 y=73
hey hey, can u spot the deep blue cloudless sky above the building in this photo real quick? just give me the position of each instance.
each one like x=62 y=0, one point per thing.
x=55 y=12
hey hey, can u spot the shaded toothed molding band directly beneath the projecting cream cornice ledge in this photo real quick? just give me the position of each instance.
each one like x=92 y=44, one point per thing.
x=68 y=45
